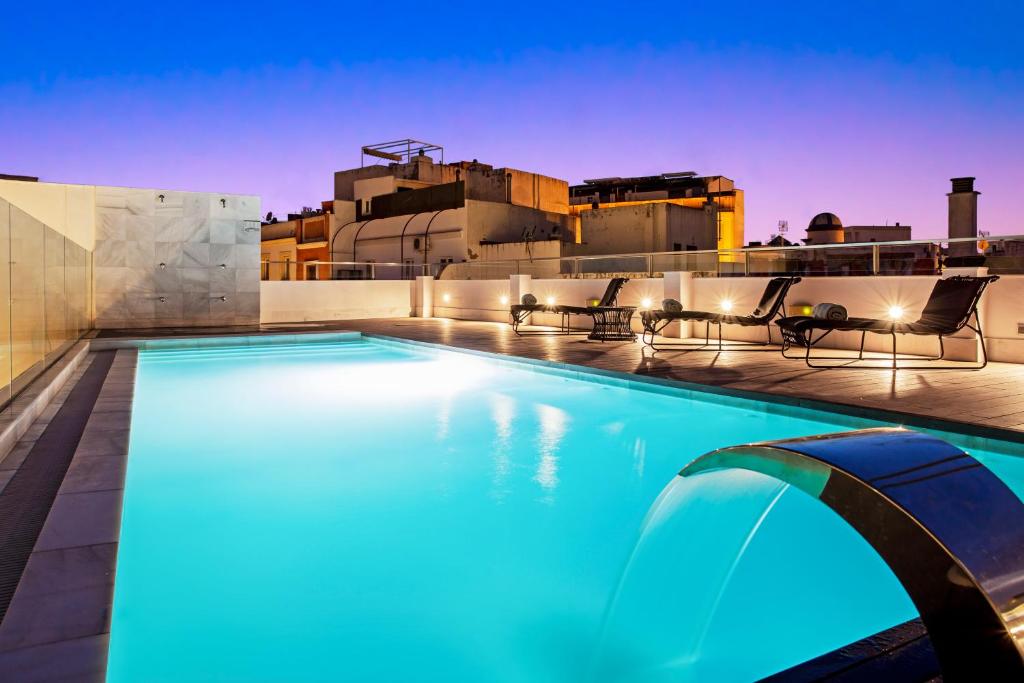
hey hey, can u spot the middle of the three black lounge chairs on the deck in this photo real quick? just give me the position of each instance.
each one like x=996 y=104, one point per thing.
x=772 y=306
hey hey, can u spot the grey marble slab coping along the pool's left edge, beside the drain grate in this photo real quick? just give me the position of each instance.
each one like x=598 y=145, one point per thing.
x=83 y=573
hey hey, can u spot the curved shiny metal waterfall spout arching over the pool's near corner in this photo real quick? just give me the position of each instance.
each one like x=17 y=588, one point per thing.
x=951 y=531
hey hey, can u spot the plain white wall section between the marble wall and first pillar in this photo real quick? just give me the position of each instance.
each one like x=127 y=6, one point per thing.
x=298 y=302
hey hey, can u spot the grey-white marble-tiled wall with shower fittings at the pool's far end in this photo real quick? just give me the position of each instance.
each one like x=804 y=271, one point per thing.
x=166 y=259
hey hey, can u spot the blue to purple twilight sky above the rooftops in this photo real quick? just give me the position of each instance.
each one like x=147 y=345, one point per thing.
x=865 y=109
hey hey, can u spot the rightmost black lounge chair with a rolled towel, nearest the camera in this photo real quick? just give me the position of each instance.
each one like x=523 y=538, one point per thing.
x=951 y=307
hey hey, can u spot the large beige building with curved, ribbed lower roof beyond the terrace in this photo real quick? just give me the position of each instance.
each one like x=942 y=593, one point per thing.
x=422 y=217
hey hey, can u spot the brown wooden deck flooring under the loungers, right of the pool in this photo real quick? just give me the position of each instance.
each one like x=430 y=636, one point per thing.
x=993 y=398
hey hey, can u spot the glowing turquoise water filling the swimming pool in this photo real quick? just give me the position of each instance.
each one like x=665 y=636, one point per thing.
x=371 y=511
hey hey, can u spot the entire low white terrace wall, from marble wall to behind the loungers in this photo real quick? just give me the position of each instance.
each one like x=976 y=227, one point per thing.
x=490 y=300
